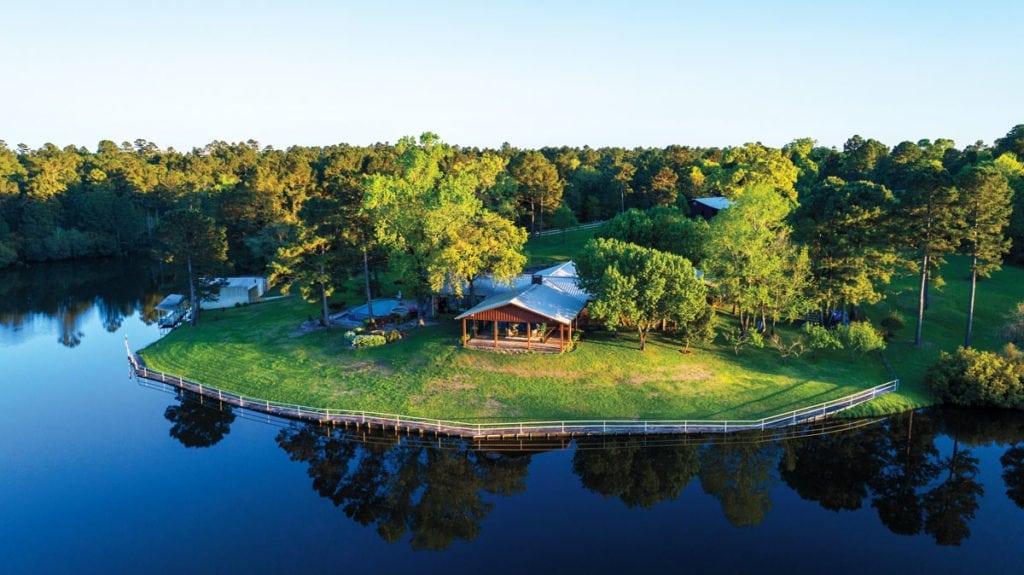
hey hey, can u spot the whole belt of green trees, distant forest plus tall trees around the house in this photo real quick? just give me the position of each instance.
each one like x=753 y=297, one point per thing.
x=832 y=224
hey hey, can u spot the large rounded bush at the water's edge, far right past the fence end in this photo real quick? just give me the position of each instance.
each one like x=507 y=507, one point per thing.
x=975 y=378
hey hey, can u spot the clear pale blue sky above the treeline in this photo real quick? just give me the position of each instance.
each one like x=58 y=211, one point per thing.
x=532 y=73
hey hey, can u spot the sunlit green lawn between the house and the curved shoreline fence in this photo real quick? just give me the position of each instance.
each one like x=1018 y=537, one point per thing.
x=261 y=351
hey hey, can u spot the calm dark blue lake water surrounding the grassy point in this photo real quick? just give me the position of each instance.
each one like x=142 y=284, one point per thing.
x=101 y=475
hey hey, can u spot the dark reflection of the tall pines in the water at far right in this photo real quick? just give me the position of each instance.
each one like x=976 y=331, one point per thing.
x=914 y=488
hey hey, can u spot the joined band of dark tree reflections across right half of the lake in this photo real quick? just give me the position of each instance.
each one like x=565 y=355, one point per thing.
x=897 y=467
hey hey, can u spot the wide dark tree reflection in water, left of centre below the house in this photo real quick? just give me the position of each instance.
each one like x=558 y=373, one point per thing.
x=437 y=494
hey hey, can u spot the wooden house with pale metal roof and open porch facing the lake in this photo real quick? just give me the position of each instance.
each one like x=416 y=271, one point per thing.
x=525 y=318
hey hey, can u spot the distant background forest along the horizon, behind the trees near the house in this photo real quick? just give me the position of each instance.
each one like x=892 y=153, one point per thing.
x=61 y=204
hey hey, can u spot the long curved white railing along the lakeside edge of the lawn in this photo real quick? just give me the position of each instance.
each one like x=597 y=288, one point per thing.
x=371 y=420
